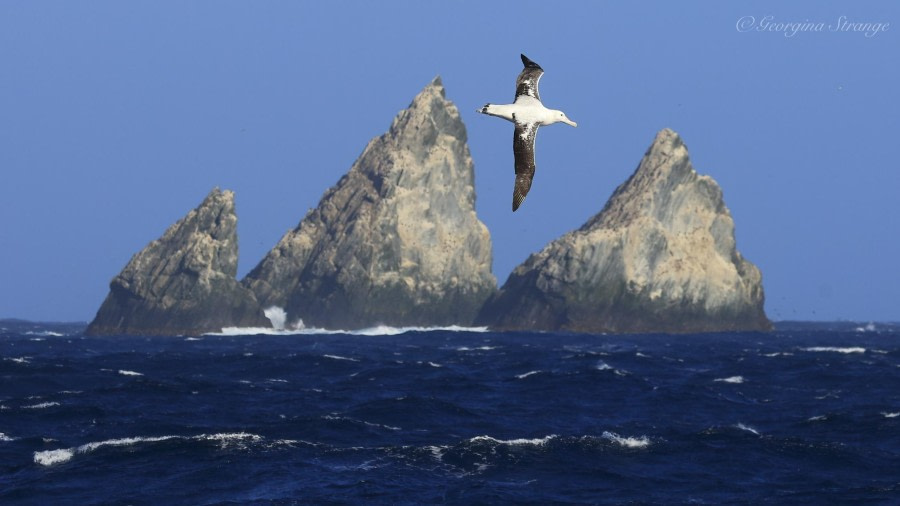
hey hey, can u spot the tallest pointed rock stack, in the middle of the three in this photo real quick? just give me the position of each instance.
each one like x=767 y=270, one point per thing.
x=396 y=241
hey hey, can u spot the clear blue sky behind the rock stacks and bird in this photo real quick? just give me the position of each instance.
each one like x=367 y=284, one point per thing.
x=116 y=118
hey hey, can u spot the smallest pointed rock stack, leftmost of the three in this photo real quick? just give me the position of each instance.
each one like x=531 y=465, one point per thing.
x=183 y=282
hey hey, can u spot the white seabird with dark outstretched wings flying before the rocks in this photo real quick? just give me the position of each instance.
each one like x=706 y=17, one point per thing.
x=527 y=113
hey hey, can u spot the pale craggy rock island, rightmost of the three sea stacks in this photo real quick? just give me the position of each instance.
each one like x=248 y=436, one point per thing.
x=659 y=257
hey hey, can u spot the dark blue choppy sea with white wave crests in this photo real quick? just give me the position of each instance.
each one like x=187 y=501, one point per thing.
x=805 y=414
